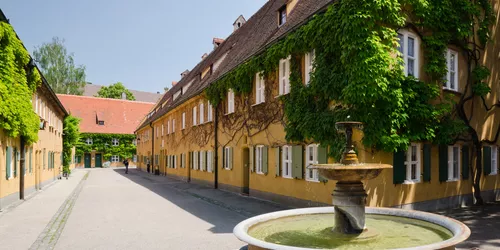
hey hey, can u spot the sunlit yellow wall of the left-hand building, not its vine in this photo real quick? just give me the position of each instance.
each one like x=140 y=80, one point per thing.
x=42 y=159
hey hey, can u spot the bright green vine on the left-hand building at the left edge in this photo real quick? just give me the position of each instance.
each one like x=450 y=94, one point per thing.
x=18 y=82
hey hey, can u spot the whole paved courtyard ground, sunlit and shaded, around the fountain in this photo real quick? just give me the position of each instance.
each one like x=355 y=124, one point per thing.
x=106 y=209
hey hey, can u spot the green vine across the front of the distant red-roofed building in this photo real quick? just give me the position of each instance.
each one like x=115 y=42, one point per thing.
x=103 y=143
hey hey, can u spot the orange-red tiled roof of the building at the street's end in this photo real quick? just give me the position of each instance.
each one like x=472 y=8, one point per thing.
x=119 y=116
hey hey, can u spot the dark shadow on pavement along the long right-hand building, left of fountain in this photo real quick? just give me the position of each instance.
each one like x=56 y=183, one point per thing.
x=182 y=193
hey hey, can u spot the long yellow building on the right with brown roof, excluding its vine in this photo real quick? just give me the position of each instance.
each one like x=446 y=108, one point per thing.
x=241 y=145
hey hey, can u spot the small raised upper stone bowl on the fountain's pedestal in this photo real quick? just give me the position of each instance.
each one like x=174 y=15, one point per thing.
x=350 y=173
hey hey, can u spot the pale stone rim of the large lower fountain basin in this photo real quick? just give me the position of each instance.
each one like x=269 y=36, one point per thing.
x=459 y=231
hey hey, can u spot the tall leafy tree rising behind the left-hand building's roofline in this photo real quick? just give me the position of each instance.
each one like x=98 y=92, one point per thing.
x=58 y=67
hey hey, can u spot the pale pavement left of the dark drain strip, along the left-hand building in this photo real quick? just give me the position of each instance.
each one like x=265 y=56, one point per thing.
x=23 y=224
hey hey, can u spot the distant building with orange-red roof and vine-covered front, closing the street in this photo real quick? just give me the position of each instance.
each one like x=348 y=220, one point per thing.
x=107 y=128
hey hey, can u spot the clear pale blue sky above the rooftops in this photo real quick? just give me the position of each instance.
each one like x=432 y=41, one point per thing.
x=143 y=44
